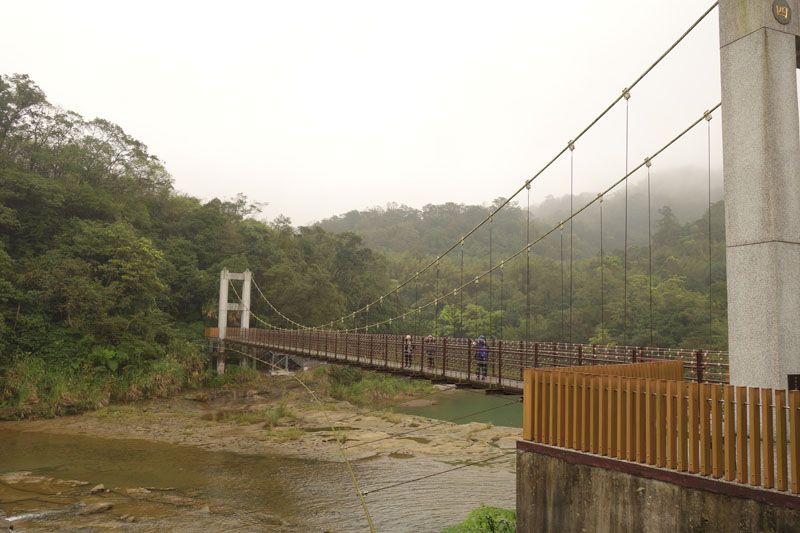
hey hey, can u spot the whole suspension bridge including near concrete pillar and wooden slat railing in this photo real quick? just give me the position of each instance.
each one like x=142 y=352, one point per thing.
x=621 y=419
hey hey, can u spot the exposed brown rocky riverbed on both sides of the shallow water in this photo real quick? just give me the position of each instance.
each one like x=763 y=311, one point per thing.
x=275 y=418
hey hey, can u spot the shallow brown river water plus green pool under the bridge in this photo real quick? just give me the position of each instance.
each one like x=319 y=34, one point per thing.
x=183 y=488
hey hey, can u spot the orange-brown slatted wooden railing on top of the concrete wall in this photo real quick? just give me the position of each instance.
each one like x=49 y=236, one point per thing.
x=741 y=434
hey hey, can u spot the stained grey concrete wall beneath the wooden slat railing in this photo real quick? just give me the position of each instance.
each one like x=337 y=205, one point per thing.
x=554 y=494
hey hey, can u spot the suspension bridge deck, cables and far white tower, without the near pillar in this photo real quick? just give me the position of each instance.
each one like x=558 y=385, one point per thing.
x=378 y=343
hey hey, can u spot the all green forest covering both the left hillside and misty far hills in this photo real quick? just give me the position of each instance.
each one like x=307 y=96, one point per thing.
x=108 y=275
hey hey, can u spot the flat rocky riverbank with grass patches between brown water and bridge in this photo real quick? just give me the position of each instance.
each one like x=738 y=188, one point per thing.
x=278 y=416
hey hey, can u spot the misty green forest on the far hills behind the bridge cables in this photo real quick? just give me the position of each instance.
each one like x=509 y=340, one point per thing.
x=564 y=293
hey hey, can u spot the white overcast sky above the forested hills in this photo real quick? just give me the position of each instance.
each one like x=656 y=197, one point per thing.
x=322 y=107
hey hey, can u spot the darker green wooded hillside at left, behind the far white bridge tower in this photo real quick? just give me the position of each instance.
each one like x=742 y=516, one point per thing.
x=108 y=275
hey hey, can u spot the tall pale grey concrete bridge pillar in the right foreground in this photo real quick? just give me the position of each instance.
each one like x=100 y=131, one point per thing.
x=761 y=154
